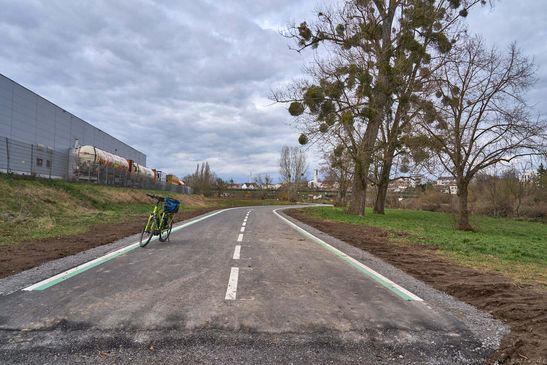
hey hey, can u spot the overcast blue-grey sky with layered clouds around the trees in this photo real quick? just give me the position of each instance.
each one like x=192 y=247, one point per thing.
x=186 y=81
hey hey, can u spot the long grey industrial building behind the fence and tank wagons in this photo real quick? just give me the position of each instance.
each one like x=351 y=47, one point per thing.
x=36 y=135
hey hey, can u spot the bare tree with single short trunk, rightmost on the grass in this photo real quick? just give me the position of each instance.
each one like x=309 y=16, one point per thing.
x=480 y=118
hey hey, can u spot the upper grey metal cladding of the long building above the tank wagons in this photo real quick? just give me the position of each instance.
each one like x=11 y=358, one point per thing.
x=29 y=118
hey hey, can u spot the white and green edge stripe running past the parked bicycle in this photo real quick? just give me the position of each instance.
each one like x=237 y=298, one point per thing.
x=56 y=279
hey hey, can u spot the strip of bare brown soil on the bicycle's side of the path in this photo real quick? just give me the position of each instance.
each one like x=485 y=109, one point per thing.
x=26 y=255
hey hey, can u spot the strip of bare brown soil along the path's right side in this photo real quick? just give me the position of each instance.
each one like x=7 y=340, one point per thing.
x=522 y=307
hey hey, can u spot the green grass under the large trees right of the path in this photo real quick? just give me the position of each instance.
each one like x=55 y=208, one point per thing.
x=515 y=248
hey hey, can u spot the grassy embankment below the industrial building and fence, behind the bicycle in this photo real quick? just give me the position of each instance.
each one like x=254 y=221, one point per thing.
x=33 y=209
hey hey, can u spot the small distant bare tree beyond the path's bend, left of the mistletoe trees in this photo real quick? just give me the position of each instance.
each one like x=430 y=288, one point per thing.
x=292 y=167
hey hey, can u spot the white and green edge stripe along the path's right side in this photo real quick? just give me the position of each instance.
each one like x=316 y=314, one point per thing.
x=359 y=265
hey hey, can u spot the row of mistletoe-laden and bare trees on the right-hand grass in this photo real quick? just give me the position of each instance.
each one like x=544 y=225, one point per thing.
x=403 y=82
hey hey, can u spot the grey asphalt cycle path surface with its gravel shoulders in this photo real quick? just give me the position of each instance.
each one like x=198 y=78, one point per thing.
x=295 y=303
